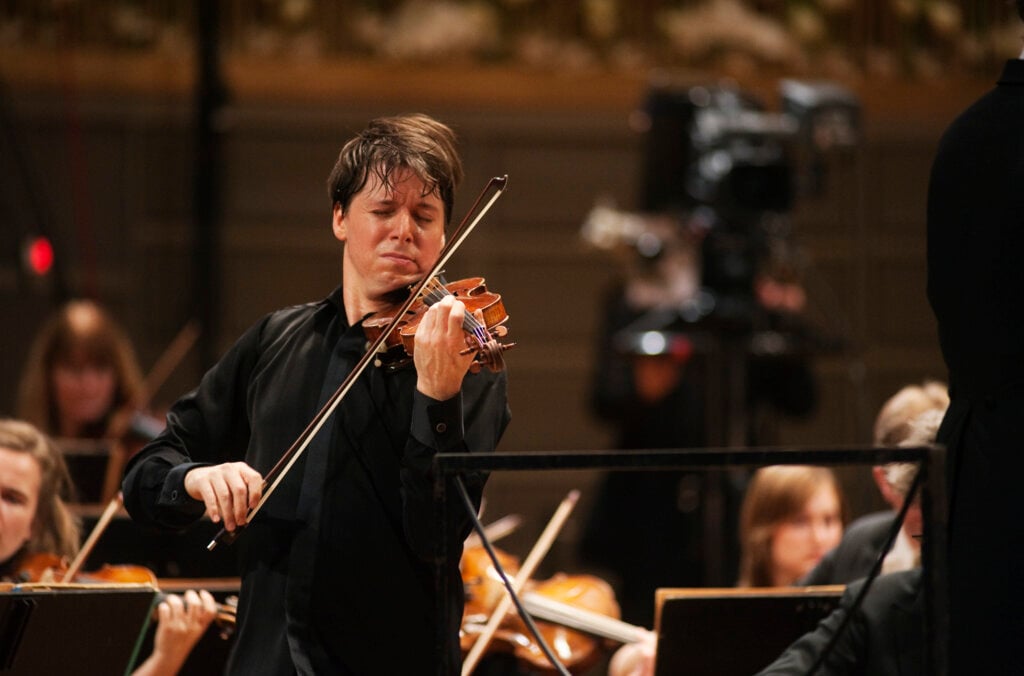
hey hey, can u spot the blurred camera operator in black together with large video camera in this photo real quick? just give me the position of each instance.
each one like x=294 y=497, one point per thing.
x=703 y=336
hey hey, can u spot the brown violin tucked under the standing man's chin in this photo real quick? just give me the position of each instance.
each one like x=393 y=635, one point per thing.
x=483 y=334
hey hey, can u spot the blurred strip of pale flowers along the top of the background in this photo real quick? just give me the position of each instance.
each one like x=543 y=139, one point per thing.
x=837 y=38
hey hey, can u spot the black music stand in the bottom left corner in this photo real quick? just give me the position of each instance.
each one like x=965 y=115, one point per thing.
x=87 y=630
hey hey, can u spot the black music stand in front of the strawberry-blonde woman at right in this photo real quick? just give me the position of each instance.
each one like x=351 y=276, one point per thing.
x=735 y=632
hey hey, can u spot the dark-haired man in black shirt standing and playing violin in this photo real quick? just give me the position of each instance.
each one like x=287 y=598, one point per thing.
x=338 y=563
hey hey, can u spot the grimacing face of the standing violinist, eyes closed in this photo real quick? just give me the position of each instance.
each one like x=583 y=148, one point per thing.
x=392 y=238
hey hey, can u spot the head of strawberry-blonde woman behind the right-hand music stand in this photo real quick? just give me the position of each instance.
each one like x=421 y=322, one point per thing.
x=792 y=516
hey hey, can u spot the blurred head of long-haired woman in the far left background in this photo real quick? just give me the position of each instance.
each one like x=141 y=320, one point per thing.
x=81 y=370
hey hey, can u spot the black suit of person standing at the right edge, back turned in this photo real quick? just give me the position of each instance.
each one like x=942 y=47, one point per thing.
x=976 y=287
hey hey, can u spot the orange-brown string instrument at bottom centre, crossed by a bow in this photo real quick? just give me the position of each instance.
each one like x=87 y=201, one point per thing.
x=577 y=613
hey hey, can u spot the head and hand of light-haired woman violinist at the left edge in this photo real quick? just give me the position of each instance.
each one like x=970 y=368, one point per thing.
x=35 y=521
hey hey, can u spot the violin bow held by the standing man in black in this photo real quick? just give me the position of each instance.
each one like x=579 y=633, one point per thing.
x=288 y=460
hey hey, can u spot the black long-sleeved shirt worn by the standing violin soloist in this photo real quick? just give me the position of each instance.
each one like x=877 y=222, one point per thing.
x=337 y=568
